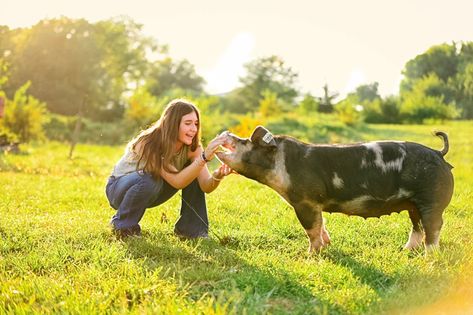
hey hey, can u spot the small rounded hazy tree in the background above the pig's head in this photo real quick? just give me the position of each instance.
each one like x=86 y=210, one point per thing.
x=268 y=73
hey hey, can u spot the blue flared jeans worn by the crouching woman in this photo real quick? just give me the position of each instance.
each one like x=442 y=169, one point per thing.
x=133 y=193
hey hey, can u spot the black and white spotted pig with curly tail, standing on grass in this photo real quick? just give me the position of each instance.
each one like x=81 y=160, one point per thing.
x=367 y=179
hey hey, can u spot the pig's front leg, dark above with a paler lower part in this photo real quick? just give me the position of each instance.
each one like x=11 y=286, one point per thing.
x=310 y=217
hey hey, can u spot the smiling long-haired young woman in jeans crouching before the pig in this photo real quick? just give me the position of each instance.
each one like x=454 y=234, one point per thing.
x=162 y=159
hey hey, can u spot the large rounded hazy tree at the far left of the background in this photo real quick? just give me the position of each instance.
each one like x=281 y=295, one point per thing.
x=61 y=60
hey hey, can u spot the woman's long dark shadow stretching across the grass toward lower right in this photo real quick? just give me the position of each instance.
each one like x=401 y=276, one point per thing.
x=207 y=267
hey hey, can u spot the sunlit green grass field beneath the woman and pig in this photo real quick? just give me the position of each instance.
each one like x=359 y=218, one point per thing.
x=57 y=254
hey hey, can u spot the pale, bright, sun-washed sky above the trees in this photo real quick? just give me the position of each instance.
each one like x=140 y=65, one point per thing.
x=339 y=43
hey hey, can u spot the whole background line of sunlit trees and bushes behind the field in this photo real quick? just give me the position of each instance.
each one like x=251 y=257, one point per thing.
x=117 y=80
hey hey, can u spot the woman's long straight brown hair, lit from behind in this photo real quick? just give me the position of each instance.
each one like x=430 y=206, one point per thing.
x=157 y=142
